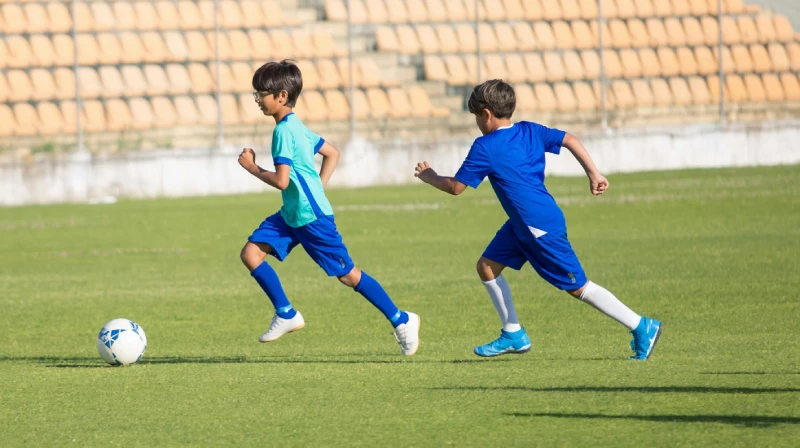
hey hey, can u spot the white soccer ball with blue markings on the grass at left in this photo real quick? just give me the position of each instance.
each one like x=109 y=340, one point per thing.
x=121 y=342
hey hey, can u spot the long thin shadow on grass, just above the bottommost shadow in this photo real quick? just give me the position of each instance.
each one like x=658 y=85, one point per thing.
x=643 y=389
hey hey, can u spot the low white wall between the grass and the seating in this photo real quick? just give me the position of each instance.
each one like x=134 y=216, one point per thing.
x=79 y=177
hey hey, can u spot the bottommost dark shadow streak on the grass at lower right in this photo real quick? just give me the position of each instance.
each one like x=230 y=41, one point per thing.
x=757 y=421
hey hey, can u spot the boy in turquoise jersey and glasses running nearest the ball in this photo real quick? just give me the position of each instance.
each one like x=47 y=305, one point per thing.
x=306 y=217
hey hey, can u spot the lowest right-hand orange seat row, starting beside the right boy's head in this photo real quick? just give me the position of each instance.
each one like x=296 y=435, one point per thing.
x=656 y=92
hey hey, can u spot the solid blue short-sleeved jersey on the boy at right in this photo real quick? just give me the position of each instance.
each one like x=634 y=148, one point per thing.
x=513 y=159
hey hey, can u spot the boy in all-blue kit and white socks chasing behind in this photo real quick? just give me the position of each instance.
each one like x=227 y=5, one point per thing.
x=512 y=155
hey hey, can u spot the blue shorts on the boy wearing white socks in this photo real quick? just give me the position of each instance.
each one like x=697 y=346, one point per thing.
x=550 y=255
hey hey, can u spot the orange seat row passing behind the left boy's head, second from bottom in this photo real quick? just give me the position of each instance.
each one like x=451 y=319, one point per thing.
x=175 y=79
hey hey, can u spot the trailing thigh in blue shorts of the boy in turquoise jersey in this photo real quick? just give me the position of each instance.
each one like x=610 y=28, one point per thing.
x=323 y=243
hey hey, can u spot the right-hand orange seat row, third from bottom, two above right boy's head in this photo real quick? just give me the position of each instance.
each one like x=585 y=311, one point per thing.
x=579 y=34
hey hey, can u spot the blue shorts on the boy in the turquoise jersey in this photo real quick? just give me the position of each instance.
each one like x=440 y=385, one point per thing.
x=320 y=239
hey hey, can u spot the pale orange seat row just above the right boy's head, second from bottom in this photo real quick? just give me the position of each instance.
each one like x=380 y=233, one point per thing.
x=627 y=63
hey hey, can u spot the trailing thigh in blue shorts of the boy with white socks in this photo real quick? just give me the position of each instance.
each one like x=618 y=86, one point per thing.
x=552 y=257
